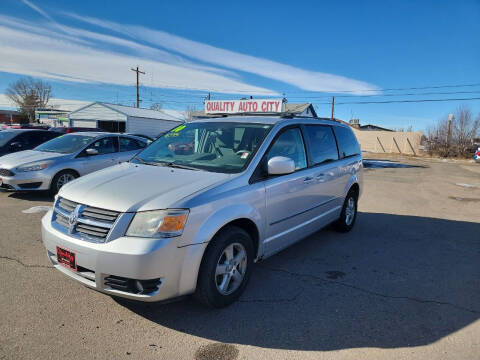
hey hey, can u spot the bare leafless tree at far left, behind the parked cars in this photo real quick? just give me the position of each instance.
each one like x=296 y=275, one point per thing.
x=29 y=94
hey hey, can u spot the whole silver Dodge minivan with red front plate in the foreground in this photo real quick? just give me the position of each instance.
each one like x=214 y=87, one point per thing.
x=171 y=223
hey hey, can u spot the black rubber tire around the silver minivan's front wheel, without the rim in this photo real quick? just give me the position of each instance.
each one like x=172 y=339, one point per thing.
x=208 y=292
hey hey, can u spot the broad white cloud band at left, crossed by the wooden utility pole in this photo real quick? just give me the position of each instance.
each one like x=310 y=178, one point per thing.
x=56 y=58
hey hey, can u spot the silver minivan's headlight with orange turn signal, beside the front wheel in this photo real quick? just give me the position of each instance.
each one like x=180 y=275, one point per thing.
x=158 y=223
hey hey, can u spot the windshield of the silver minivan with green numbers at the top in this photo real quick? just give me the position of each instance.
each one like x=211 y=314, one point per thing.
x=225 y=147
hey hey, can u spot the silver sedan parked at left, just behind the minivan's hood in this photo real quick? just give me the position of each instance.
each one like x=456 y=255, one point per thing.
x=56 y=162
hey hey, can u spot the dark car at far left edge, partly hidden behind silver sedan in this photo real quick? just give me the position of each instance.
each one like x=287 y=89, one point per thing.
x=13 y=140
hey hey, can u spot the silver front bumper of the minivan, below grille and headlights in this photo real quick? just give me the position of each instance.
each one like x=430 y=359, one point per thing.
x=127 y=261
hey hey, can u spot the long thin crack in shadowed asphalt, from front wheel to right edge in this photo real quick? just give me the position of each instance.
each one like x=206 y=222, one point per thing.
x=370 y=292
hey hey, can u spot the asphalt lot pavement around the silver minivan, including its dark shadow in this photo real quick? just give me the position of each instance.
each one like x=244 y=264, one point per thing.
x=404 y=284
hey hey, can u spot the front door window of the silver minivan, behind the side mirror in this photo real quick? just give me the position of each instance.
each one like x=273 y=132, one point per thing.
x=290 y=144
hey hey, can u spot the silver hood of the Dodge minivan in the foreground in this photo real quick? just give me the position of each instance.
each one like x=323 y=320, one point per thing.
x=136 y=187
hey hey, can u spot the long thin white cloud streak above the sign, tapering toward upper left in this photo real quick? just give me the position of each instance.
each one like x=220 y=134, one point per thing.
x=304 y=79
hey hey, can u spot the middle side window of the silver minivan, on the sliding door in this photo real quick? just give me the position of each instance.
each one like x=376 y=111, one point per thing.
x=323 y=146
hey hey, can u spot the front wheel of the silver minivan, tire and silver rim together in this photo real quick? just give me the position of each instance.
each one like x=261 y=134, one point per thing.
x=225 y=268
